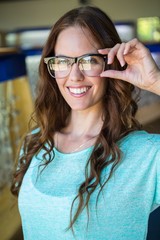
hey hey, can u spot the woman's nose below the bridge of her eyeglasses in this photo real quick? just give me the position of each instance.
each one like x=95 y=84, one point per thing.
x=75 y=73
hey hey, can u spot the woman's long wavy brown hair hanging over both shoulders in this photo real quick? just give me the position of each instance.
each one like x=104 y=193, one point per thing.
x=51 y=110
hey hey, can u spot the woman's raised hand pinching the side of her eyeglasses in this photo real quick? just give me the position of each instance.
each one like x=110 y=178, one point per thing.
x=141 y=70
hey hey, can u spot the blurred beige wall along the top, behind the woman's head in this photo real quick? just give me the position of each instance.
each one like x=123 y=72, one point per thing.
x=33 y=13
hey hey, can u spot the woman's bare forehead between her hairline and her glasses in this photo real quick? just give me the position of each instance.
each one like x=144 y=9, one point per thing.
x=75 y=41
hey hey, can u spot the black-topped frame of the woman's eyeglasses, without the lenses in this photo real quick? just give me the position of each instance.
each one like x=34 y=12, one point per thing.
x=74 y=60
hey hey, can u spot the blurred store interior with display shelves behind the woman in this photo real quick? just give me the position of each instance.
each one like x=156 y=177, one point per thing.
x=24 y=27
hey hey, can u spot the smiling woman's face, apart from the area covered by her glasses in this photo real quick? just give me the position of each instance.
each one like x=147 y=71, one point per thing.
x=79 y=91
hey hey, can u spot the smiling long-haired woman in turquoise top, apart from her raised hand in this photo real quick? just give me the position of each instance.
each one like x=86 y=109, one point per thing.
x=87 y=171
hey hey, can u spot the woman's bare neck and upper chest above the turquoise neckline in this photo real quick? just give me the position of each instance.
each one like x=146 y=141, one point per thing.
x=81 y=132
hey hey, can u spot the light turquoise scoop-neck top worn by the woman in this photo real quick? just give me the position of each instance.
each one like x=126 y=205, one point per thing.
x=123 y=207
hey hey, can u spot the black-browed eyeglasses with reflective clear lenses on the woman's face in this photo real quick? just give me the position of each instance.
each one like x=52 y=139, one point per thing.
x=90 y=65
